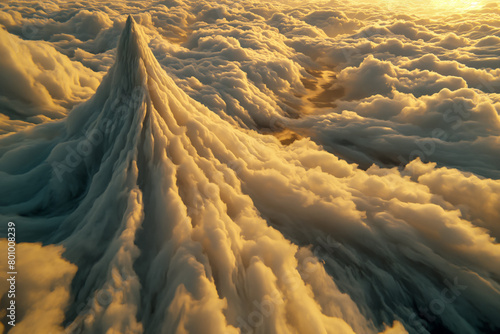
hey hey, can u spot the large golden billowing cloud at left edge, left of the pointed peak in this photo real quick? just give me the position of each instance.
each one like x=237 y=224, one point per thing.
x=37 y=82
